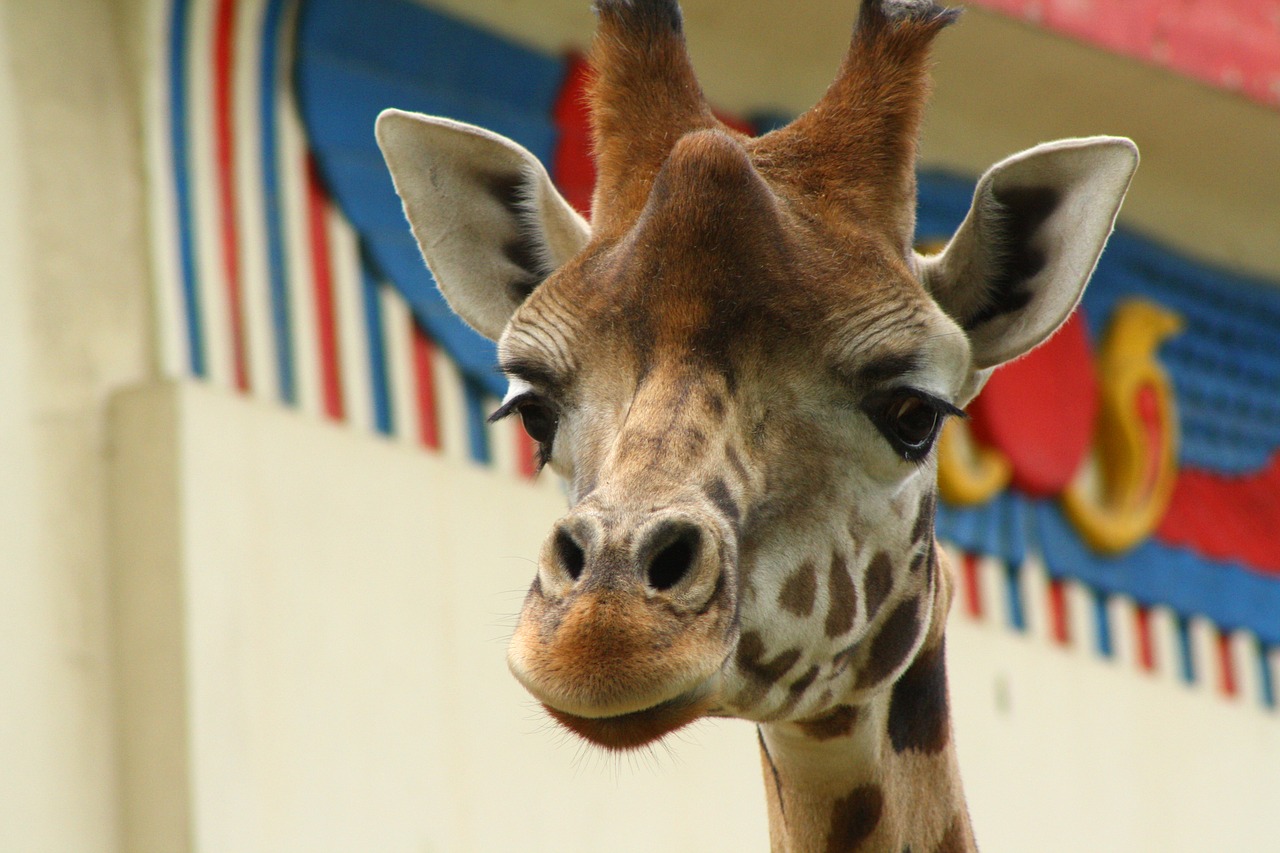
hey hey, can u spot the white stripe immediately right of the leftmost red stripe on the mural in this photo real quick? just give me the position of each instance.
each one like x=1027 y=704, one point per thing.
x=252 y=209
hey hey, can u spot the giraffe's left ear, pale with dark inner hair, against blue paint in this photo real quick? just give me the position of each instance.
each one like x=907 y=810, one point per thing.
x=487 y=218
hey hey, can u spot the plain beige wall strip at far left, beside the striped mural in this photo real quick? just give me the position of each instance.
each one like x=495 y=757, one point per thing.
x=72 y=329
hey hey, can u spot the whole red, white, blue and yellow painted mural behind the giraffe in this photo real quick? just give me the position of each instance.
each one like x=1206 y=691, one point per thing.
x=1124 y=478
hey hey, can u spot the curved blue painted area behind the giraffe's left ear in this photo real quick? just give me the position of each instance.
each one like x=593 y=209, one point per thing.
x=356 y=61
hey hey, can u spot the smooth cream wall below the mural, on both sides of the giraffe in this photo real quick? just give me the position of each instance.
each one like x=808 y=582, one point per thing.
x=316 y=622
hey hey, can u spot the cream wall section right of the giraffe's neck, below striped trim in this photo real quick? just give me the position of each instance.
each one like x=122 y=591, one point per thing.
x=1064 y=752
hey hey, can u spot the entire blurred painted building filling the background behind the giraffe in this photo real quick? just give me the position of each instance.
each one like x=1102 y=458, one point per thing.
x=260 y=554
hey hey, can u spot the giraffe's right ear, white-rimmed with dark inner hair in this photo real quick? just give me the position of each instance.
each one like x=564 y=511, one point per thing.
x=1020 y=262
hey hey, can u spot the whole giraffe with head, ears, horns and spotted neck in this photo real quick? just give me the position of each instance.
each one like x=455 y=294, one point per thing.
x=740 y=368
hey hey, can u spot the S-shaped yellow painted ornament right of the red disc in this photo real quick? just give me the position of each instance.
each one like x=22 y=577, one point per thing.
x=1121 y=495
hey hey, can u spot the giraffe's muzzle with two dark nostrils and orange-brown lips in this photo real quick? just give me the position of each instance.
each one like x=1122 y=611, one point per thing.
x=628 y=624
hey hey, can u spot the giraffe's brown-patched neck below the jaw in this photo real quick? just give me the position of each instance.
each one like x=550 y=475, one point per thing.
x=881 y=777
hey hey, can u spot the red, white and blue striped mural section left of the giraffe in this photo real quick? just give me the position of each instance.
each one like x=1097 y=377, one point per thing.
x=263 y=286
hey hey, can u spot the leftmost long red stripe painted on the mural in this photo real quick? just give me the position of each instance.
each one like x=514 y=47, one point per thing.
x=225 y=147
